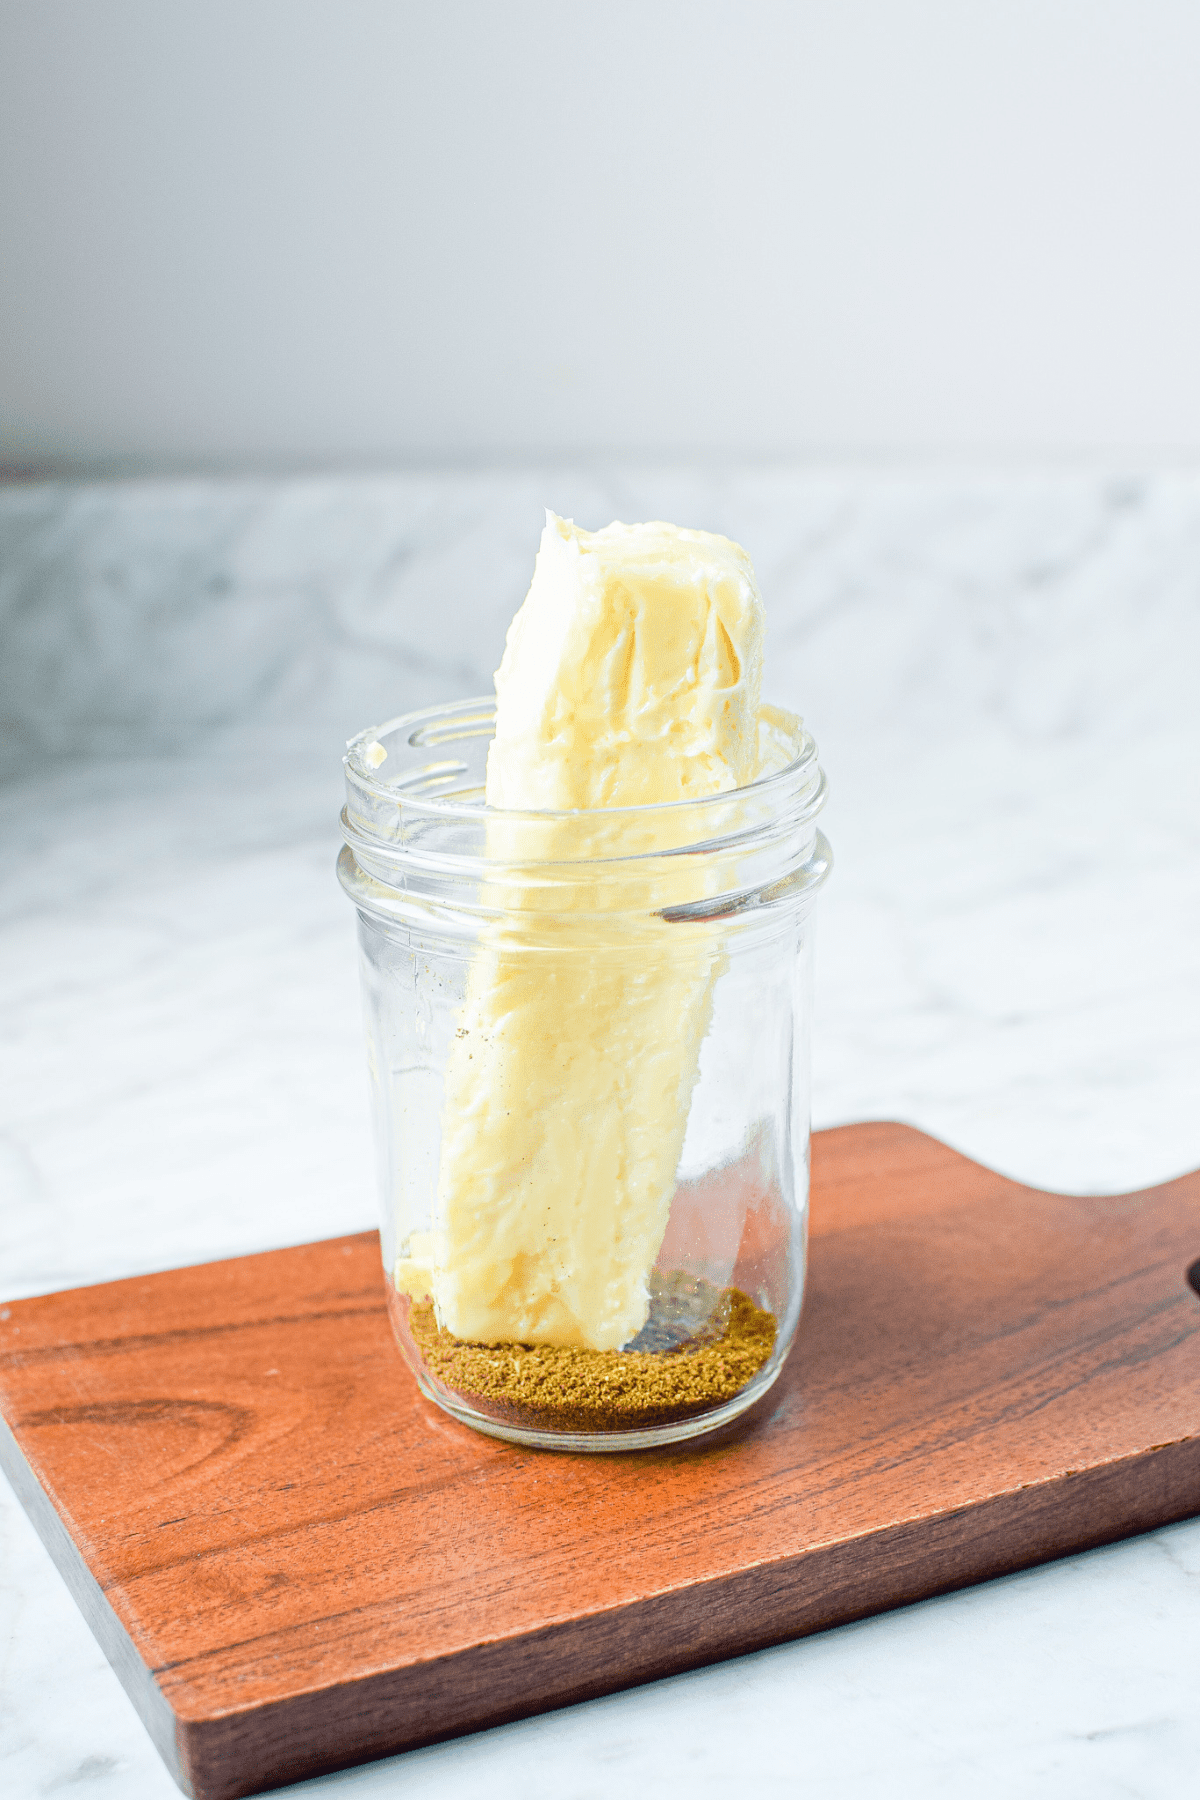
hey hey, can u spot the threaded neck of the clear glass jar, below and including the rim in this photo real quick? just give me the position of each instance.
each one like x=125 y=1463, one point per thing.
x=418 y=831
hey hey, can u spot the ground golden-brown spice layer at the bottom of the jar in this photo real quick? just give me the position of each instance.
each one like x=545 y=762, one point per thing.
x=701 y=1351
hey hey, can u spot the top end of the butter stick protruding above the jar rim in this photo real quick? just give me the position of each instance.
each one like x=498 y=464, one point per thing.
x=632 y=674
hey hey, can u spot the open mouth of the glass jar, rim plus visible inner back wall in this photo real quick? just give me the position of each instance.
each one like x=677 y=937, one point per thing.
x=411 y=764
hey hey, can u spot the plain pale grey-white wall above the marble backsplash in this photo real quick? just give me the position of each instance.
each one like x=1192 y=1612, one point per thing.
x=271 y=233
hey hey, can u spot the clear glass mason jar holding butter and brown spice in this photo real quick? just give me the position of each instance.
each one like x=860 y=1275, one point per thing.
x=589 y=1057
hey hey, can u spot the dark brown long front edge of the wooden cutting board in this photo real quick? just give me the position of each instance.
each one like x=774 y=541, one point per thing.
x=701 y=1624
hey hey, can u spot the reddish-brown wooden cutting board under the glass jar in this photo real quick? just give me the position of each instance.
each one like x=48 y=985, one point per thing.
x=296 y=1563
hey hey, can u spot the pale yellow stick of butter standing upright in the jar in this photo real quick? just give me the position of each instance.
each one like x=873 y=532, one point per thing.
x=631 y=678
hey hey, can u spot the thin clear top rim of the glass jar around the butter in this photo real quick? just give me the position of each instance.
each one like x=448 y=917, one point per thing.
x=476 y=717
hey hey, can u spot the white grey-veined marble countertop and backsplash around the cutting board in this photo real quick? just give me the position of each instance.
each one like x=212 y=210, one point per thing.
x=1001 y=672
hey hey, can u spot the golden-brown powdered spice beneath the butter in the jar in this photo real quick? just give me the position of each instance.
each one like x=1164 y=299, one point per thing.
x=555 y=1389
